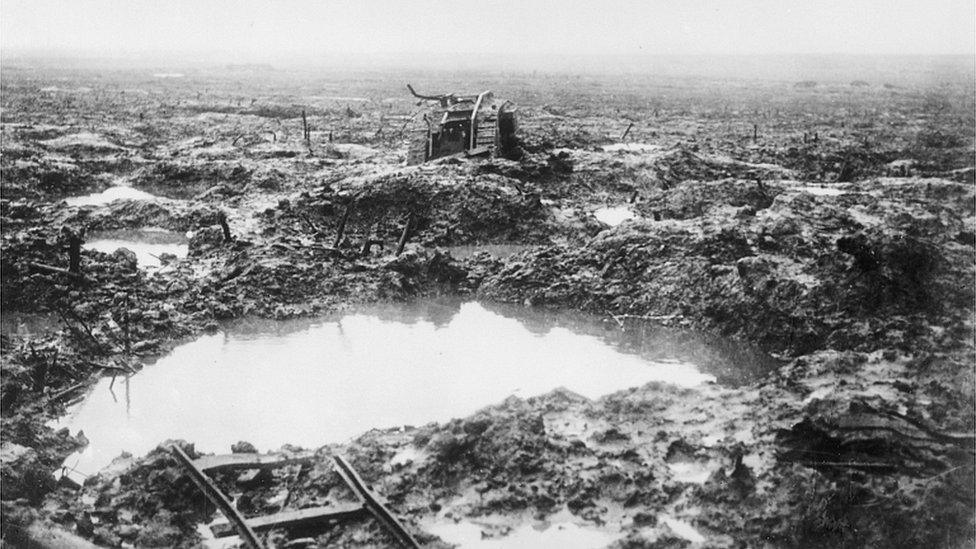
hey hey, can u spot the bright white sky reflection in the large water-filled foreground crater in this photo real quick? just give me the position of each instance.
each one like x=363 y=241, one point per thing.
x=313 y=382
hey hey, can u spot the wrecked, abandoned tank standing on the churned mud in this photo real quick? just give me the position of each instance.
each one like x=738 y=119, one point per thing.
x=476 y=125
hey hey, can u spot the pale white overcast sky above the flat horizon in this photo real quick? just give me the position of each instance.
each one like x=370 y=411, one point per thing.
x=266 y=29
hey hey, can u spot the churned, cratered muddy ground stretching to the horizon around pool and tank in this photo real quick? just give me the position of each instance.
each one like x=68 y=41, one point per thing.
x=832 y=225
